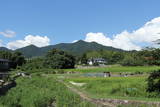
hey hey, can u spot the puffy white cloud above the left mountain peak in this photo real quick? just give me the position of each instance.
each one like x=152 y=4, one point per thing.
x=39 y=41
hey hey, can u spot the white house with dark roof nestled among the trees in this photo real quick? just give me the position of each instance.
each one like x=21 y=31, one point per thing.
x=97 y=61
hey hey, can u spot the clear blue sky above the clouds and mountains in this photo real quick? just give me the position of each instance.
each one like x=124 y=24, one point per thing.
x=69 y=20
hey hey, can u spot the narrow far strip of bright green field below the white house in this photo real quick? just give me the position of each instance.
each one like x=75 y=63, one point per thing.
x=117 y=69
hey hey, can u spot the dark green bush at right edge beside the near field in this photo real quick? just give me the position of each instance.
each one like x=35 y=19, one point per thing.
x=154 y=82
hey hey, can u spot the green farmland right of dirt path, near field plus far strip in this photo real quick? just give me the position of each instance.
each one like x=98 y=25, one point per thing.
x=124 y=88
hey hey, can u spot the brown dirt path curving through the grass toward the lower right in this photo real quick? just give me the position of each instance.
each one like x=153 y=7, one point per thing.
x=111 y=102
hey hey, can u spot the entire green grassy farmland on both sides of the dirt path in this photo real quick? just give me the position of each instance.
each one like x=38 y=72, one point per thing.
x=44 y=87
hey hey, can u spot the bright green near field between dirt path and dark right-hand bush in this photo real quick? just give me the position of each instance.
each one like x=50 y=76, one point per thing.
x=115 y=87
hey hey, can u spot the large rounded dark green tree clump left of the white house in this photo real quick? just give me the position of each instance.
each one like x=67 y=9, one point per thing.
x=57 y=59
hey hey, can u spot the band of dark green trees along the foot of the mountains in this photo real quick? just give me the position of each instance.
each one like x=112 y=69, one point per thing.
x=58 y=59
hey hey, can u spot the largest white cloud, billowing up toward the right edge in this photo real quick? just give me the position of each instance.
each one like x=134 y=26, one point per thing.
x=129 y=40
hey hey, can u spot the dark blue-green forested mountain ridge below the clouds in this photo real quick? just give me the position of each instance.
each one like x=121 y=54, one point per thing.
x=77 y=48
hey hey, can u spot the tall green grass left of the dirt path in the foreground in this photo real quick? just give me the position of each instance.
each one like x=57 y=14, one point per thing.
x=41 y=91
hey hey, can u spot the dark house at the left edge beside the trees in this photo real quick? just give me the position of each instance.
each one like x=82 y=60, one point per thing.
x=4 y=65
